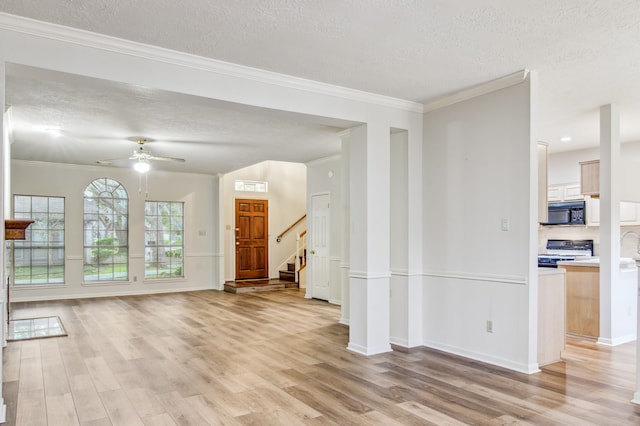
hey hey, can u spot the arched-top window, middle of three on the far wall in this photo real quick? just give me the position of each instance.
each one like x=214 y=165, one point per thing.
x=106 y=231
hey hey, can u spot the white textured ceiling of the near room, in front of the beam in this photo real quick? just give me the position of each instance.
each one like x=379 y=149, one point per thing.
x=586 y=52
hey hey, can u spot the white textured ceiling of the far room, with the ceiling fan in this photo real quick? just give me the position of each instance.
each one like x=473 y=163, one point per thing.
x=99 y=118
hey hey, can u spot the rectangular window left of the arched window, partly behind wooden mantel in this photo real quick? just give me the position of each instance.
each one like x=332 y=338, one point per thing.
x=39 y=259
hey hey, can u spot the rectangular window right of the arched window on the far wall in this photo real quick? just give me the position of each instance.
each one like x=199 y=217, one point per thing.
x=163 y=245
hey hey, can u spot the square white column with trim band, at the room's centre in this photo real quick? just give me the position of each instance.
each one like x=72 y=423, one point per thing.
x=369 y=239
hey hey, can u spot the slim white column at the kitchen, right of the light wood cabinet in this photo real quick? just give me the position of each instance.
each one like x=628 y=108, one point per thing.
x=609 y=216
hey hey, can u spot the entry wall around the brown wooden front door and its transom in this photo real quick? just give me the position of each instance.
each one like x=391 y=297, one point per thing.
x=287 y=203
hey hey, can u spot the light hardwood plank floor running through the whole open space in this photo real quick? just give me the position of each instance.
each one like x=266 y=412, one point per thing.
x=276 y=358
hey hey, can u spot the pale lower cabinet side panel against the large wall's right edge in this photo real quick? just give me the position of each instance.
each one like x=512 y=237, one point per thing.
x=551 y=315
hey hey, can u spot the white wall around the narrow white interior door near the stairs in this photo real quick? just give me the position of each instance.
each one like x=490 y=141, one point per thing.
x=324 y=176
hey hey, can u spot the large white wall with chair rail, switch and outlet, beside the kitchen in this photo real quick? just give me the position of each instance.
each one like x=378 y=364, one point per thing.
x=477 y=159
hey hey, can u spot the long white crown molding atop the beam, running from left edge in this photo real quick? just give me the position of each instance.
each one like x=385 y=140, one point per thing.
x=99 y=41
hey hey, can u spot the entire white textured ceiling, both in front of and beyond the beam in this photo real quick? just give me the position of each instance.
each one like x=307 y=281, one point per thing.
x=586 y=53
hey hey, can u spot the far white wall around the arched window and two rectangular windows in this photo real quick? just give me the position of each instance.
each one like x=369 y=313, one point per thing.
x=198 y=192
